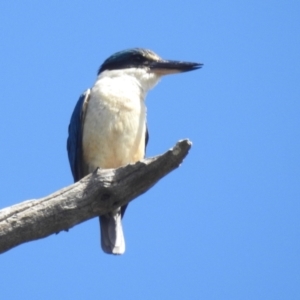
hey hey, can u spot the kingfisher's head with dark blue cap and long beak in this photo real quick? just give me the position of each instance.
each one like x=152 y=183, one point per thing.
x=145 y=65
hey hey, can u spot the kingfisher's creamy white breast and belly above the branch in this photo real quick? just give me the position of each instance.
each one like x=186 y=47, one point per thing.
x=115 y=123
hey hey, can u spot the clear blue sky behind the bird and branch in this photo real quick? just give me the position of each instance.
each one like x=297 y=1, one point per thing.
x=225 y=225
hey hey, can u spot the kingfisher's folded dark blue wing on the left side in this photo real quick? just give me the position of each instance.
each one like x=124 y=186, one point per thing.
x=74 y=142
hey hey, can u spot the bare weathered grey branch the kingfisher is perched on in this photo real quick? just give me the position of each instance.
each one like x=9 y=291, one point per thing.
x=94 y=195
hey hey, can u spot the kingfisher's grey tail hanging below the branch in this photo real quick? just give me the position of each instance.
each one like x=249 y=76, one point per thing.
x=112 y=238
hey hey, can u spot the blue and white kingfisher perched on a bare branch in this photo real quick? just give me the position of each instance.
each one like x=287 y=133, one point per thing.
x=108 y=127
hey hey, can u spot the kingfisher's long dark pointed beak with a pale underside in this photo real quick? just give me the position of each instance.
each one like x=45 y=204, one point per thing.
x=165 y=67
